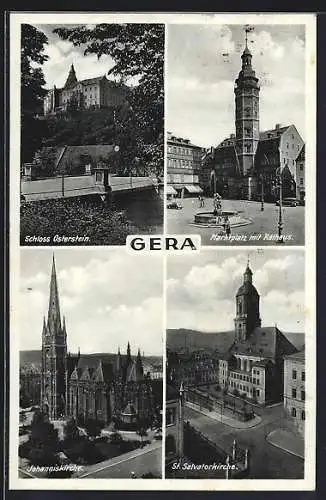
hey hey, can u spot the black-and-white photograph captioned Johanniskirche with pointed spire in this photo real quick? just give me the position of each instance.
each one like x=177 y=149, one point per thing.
x=91 y=369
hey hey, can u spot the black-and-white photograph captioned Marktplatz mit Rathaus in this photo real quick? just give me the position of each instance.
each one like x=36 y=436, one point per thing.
x=236 y=103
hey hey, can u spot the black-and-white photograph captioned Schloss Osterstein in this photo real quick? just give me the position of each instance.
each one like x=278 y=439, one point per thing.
x=92 y=101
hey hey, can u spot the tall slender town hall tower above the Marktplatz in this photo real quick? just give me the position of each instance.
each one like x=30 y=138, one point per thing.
x=246 y=112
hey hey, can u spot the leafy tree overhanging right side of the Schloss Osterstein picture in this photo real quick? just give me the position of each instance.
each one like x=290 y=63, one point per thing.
x=138 y=54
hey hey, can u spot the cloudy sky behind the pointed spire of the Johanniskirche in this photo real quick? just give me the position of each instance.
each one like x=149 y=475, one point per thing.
x=103 y=295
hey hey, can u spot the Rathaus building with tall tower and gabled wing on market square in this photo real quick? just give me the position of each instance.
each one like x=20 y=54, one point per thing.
x=251 y=164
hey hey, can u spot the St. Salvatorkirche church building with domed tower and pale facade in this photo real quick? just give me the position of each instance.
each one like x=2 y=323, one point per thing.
x=253 y=367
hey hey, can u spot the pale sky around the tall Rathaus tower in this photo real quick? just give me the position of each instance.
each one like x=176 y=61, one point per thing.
x=205 y=60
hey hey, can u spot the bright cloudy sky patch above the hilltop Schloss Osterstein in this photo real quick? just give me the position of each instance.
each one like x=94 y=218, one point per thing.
x=63 y=53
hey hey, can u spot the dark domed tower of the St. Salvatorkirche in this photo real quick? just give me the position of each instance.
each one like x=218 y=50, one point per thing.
x=247 y=308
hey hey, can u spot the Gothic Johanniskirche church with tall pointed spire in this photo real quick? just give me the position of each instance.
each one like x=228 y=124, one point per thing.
x=102 y=387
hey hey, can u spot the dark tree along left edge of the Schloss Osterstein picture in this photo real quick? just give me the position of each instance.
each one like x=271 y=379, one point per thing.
x=33 y=44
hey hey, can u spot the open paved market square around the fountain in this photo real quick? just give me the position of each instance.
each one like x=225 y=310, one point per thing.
x=264 y=223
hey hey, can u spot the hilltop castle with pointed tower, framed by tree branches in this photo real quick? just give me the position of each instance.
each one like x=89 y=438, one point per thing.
x=92 y=93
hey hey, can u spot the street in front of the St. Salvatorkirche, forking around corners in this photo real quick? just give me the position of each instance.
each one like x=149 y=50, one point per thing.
x=267 y=461
